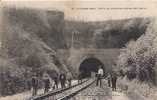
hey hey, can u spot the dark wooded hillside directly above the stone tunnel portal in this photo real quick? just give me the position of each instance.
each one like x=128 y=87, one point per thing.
x=105 y=34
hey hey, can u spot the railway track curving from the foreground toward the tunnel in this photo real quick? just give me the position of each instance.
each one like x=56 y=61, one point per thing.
x=66 y=93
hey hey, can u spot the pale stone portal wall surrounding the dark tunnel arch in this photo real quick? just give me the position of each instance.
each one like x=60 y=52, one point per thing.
x=78 y=57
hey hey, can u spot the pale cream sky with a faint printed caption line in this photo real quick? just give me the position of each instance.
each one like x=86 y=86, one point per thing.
x=92 y=10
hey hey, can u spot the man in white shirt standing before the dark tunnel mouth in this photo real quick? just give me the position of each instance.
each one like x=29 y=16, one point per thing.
x=99 y=76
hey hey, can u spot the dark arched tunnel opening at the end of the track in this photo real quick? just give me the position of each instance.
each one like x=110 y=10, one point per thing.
x=90 y=65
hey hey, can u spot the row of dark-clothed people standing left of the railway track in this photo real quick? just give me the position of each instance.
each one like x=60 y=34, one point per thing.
x=51 y=82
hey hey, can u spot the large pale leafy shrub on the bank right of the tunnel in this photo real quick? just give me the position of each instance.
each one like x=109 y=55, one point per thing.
x=138 y=59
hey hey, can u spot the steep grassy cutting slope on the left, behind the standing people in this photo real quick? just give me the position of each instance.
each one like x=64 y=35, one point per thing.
x=29 y=41
